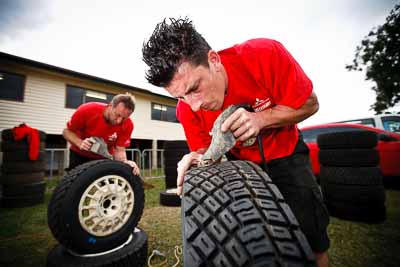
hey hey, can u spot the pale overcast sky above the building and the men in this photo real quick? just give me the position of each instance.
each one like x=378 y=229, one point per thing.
x=104 y=38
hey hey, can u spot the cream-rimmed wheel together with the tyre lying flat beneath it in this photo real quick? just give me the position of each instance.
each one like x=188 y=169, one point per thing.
x=93 y=213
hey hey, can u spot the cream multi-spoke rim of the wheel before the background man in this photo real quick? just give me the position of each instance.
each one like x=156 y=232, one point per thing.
x=106 y=205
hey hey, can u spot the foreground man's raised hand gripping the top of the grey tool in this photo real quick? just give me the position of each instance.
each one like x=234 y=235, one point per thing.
x=243 y=124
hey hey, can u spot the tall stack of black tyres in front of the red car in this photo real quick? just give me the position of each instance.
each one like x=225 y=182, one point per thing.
x=350 y=177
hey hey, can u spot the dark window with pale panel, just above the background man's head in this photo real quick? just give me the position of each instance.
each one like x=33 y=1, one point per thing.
x=77 y=96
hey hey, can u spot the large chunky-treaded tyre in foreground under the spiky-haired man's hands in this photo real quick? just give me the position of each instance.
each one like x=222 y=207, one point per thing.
x=233 y=215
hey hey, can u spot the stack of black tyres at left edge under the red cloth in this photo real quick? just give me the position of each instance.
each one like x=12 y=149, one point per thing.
x=22 y=179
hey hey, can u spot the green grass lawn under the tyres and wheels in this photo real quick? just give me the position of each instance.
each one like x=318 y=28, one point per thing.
x=25 y=238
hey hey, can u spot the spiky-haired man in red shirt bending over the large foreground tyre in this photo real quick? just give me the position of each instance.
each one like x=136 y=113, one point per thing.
x=262 y=74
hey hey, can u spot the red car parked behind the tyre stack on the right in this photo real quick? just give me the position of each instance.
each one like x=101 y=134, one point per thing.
x=388 y=145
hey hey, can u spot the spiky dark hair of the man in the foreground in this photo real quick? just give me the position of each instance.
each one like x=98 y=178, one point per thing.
x=169 y=46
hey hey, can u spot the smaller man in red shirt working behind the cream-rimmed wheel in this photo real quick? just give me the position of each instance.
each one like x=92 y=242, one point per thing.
x=108 y=121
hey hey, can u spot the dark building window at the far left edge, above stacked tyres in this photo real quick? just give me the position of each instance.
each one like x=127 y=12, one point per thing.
x=11 y=86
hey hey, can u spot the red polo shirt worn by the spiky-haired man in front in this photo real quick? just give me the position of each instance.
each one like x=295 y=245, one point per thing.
x=261 y=73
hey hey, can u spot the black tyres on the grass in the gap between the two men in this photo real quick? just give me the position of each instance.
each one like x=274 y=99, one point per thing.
x=173 y=153
